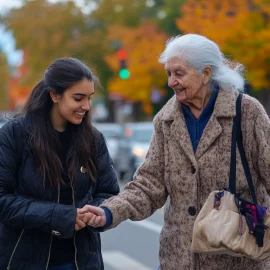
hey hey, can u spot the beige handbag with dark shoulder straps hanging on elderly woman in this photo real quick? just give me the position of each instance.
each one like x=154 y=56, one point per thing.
x=228 y=224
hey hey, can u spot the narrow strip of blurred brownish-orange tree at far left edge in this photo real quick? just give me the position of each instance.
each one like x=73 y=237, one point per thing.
x=4 y=78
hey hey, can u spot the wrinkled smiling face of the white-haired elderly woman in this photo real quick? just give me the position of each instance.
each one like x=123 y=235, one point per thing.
x=186 y=82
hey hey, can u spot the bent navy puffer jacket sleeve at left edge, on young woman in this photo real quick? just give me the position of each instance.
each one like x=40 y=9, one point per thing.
x=22 y=212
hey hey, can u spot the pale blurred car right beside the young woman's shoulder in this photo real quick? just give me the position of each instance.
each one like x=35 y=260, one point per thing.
x=112 y=133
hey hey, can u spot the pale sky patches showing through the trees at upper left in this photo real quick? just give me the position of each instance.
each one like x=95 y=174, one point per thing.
x=7 y=42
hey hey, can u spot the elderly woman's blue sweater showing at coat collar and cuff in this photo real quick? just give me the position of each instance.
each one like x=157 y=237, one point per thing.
x=195 y=129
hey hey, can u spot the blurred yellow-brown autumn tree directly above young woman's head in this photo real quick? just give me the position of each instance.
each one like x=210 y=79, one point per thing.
x=49 y=31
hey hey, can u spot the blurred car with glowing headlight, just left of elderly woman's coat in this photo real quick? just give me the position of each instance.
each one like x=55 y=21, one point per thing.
x=133 y=148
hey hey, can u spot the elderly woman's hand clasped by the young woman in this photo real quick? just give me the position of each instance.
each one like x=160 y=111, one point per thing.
x=93 y=216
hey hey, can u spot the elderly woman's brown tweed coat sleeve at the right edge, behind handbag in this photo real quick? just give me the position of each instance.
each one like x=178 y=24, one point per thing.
x=261 y=146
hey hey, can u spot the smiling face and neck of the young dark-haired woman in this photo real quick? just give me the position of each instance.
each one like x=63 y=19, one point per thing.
x=72 y=105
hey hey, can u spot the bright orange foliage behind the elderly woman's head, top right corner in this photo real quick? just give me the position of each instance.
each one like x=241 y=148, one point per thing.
x=240 y=27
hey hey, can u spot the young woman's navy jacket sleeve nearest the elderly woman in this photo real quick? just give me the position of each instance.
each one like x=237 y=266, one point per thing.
x=106 y=185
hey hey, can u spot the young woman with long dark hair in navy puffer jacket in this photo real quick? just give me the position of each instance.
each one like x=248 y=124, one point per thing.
x=52 y=163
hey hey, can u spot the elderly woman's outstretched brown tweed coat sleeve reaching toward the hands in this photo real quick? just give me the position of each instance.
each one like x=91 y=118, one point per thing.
x=147 y=192
